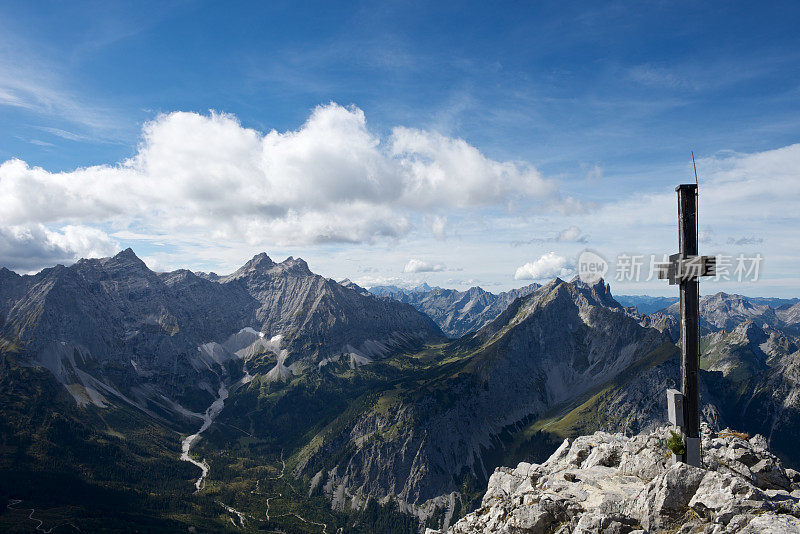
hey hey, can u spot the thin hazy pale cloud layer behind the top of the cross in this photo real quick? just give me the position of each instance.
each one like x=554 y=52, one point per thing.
x=741 y=195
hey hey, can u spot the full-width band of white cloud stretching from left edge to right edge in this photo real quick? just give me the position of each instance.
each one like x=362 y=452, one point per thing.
x=217 y=192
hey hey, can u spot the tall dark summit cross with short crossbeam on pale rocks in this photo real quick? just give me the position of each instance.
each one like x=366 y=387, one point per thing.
x=685 y=270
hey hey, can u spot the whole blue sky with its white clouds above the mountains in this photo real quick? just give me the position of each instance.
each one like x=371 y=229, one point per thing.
x=599 y=103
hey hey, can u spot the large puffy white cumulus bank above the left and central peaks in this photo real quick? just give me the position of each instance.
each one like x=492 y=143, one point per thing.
x=331 y=180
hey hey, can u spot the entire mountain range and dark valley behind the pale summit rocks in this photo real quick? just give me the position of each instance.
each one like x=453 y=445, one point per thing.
x=275 y=398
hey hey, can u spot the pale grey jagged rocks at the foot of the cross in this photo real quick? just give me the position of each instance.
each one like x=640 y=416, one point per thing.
x=615 y=484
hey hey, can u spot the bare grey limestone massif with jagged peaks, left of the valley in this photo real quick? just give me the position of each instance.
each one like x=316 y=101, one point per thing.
x=117 y=308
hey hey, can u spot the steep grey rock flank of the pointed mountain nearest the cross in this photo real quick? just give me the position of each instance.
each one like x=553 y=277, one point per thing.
x=520 y=366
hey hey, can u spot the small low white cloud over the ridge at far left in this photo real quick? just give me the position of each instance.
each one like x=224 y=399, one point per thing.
x=28 y=247
